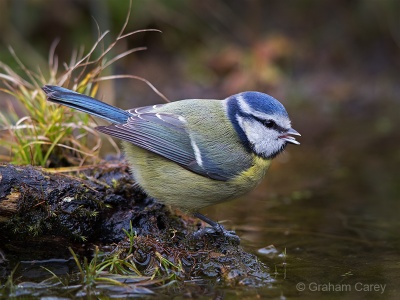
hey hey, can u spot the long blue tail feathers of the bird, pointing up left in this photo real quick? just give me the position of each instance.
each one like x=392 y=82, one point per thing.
x=86 y=104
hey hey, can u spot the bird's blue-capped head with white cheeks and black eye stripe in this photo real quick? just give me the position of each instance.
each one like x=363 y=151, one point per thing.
x=261 y=122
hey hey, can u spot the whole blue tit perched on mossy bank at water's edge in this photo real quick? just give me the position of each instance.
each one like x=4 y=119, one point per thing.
x=193 y=153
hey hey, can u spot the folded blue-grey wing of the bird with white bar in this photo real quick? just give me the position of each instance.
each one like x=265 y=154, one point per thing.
x=166 y=134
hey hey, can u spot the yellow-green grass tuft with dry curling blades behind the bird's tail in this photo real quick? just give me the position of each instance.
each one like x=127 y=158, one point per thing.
x=50 y=135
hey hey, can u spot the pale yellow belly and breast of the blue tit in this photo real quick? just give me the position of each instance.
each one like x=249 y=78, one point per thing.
x=173 y=185
